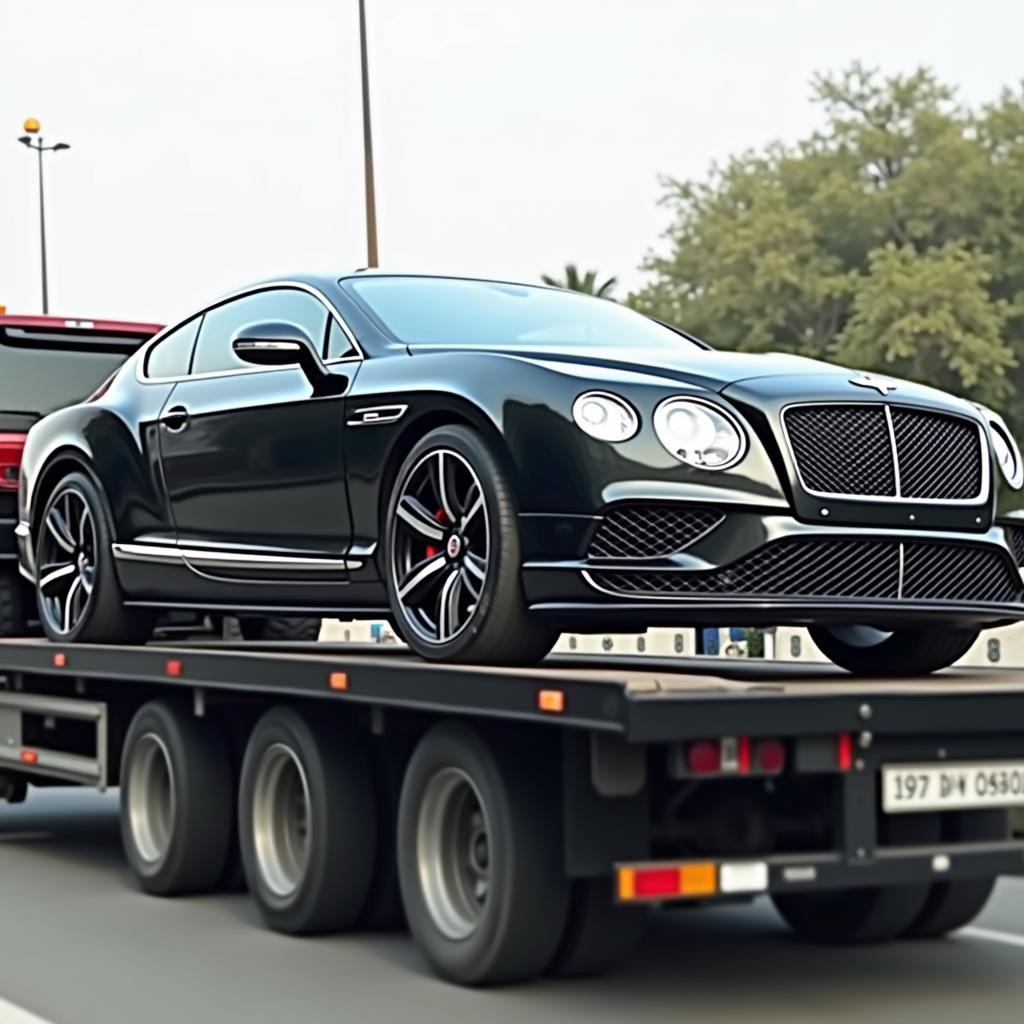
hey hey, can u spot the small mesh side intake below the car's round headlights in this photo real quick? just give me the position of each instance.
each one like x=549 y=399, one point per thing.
x=651 y=531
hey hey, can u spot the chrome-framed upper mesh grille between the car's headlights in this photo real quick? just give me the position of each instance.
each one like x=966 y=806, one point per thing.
x=873 y=451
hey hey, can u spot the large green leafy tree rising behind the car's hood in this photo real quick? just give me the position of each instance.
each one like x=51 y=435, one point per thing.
x=892 y=239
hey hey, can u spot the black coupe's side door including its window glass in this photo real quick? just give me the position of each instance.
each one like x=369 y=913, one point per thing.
x=253 y=464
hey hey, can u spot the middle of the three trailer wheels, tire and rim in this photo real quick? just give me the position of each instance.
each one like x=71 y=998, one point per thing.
x=308 y=823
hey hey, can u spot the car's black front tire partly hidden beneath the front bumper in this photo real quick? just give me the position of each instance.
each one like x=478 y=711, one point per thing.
x=905 y=653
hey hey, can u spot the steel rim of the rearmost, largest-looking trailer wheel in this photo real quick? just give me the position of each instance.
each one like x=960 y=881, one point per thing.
x=453 y=847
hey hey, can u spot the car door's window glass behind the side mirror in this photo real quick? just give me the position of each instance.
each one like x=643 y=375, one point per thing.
x=214 y=354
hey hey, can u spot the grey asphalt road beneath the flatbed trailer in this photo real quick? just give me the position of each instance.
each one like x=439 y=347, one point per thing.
x=79 y=945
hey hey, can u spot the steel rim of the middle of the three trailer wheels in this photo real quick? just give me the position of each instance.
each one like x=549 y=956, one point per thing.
x=282 y=828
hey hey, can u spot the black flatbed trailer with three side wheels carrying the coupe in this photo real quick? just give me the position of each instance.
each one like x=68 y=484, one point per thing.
x=526 y=821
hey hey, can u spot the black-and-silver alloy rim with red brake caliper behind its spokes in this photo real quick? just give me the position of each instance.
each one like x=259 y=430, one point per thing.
x=441 y=546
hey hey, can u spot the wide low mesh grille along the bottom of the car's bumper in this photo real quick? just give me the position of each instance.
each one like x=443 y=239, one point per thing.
x=836 y=568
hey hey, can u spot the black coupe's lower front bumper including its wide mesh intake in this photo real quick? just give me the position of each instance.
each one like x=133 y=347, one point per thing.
x=760 y=568
